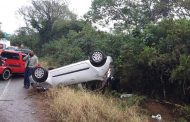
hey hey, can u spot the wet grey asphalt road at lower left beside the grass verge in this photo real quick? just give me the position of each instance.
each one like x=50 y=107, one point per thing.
x=15 y=102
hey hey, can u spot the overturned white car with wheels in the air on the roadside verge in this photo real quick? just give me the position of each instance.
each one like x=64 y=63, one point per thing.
x=96 y=68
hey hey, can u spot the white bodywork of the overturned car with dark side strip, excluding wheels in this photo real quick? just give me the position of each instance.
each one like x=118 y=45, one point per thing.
x=78 y=72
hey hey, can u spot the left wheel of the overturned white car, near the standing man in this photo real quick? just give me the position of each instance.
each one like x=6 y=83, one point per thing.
x=39 y=74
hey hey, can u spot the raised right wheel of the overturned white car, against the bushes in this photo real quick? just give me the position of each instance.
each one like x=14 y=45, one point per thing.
x=97 y=58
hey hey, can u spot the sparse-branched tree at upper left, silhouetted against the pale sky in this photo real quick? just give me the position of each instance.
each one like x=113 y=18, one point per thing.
x=43 y=14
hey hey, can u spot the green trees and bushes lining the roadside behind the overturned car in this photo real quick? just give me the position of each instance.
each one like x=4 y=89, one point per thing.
x=149 y=42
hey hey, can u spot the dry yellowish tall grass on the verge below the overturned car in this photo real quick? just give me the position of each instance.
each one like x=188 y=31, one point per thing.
x=70 y=105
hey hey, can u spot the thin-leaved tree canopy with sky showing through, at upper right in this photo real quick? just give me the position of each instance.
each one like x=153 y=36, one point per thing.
x=130 y=14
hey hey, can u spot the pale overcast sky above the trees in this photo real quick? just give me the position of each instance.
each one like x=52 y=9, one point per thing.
x=11 y=20
